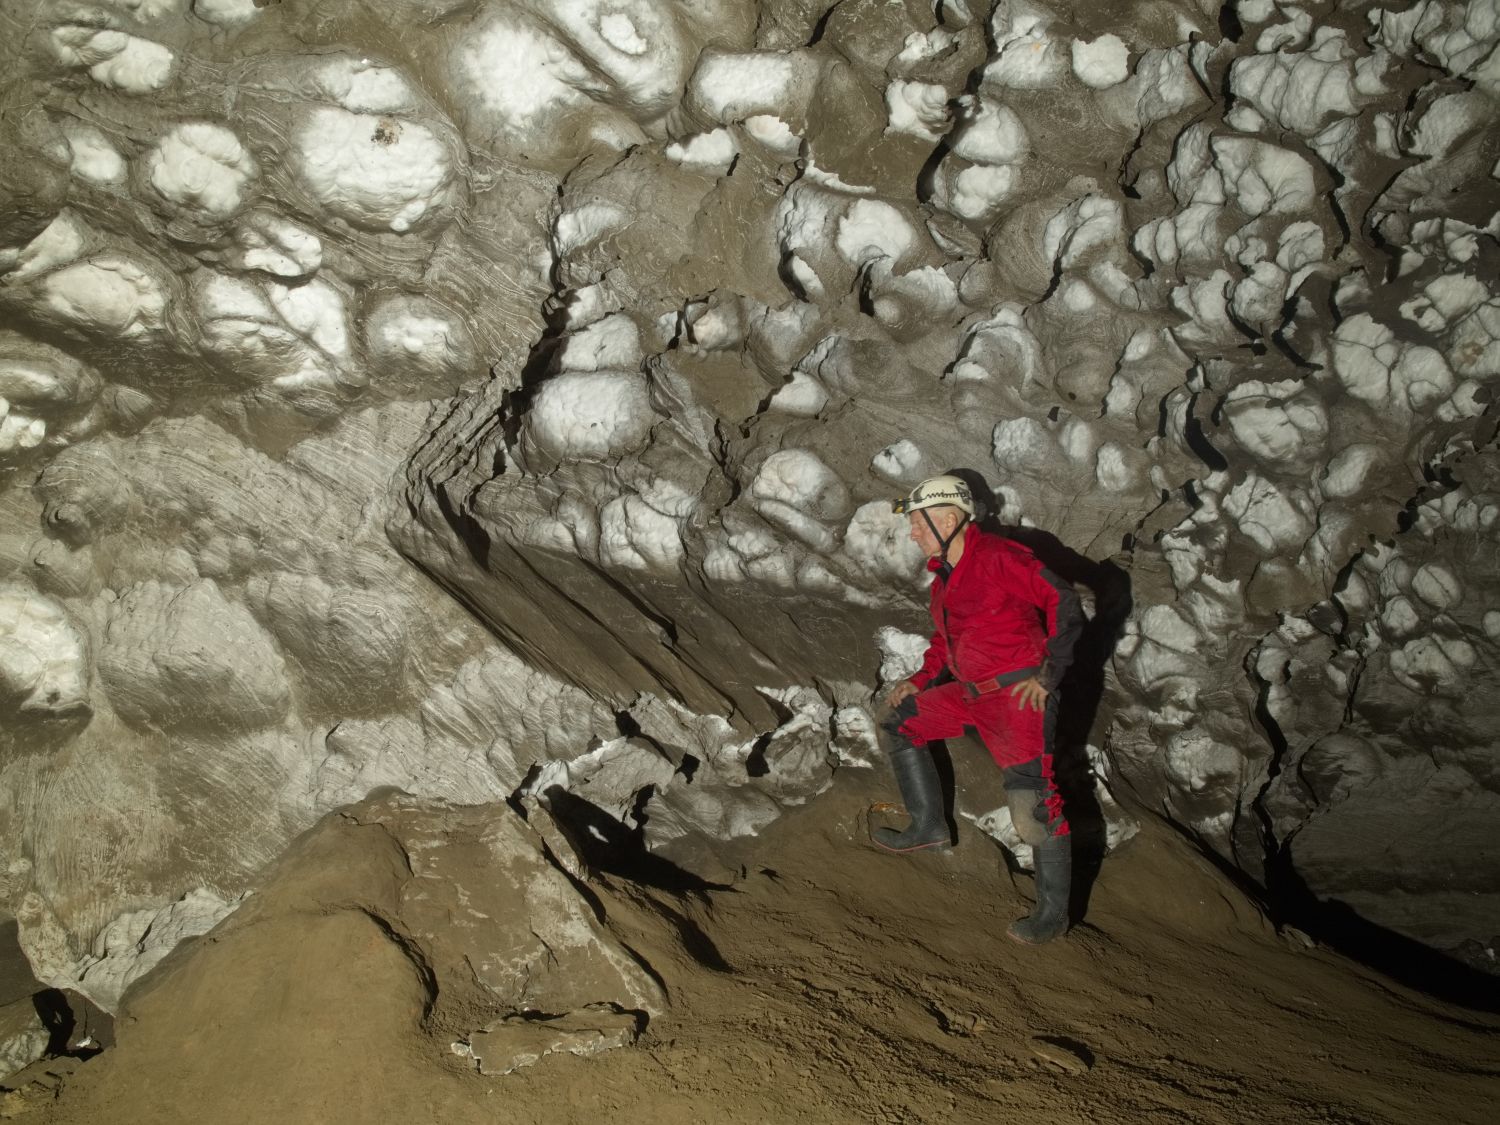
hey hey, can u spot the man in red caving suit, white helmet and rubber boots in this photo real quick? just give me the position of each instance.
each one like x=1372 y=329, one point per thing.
x=1004 y=628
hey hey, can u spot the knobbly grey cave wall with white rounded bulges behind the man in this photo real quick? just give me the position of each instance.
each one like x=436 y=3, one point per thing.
x=622 y=320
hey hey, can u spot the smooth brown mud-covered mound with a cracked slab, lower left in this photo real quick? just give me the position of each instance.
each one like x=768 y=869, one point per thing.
x=421 y=932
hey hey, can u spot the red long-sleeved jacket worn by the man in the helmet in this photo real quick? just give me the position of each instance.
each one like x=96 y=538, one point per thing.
x=1000 y=611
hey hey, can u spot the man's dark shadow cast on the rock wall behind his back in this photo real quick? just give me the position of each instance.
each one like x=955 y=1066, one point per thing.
x=1084 y=689
